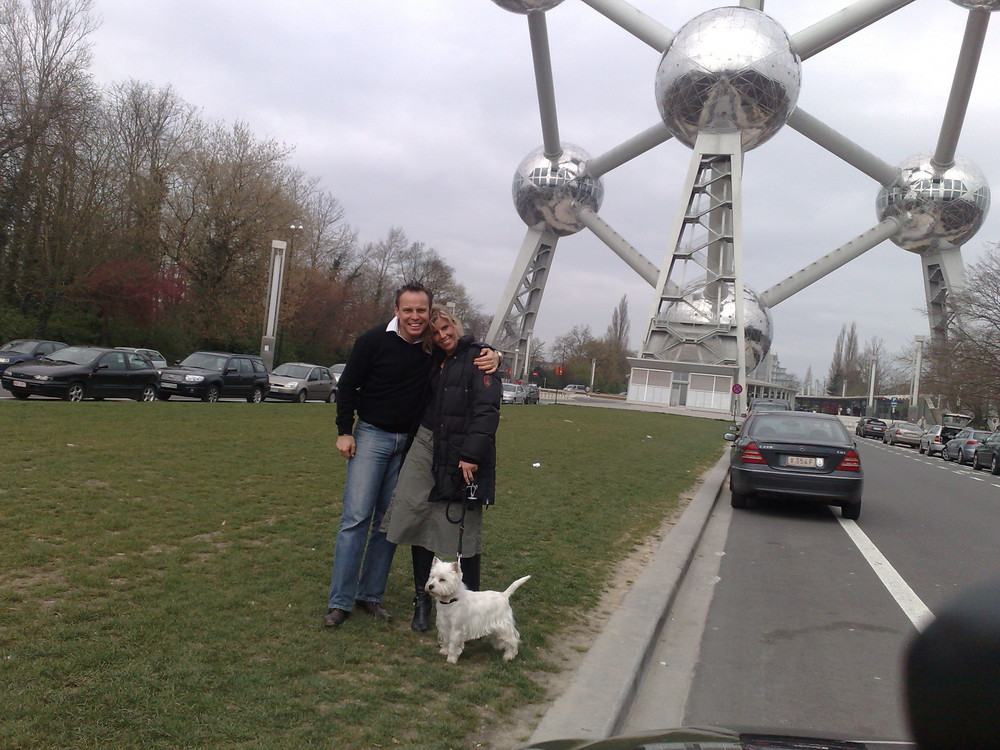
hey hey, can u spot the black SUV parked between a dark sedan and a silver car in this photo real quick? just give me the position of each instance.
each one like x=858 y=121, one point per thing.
x=214 y=375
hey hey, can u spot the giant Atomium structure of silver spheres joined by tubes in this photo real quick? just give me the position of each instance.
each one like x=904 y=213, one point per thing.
x=727 y=81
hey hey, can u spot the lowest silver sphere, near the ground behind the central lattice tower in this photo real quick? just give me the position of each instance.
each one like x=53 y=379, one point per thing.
x=707 y=308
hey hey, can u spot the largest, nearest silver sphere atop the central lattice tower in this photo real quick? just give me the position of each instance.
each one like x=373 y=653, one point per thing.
x=730 y=69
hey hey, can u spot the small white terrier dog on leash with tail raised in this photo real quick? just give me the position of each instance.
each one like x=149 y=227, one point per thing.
x=464 y=615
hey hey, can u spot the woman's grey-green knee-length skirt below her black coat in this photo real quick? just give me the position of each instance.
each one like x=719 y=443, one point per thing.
x=414 y=521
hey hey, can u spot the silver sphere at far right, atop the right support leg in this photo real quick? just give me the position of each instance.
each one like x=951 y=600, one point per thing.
x=937 y=208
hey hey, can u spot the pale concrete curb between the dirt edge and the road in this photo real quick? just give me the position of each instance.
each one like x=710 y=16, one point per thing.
x=600 y=697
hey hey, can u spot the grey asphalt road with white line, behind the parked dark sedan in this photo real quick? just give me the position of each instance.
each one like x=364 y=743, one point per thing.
x=783 y=621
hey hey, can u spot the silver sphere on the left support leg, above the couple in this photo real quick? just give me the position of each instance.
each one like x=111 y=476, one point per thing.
x=553 y=195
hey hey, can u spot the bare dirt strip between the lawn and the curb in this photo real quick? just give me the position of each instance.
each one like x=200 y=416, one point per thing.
x=574 y=643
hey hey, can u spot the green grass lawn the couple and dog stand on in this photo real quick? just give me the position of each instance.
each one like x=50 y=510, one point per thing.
x=164 y=568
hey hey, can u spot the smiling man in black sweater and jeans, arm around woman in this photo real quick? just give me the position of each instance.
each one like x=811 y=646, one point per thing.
x=384 y=382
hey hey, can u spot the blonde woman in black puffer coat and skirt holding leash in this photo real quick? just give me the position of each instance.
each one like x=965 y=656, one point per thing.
x=454 y=447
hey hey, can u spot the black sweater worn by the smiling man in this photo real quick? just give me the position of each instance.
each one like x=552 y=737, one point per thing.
x=384 y=381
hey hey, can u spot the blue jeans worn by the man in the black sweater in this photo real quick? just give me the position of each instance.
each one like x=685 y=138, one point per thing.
x=363 y=556
